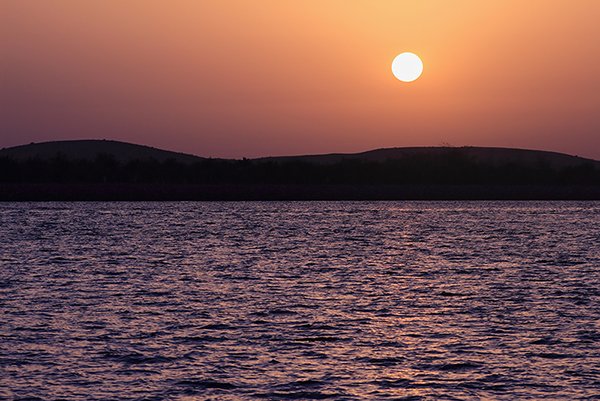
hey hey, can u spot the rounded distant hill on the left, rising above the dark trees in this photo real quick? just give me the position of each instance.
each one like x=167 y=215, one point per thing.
x=91 y=149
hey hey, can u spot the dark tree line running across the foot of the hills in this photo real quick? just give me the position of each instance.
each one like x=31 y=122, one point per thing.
x=452 y=169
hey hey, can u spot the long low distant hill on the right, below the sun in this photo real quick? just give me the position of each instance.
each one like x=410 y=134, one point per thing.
x=484 y=155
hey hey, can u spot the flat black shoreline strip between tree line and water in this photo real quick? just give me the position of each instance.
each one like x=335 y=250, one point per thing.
x=293 y=192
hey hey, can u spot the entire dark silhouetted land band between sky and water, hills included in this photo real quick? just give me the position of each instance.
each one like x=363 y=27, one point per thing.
x=109 y=170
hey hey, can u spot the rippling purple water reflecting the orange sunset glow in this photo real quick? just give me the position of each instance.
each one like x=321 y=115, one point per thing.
x=322 y=300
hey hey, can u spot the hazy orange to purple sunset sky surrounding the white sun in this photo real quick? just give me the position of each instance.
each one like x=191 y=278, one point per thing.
x=248 y=78
